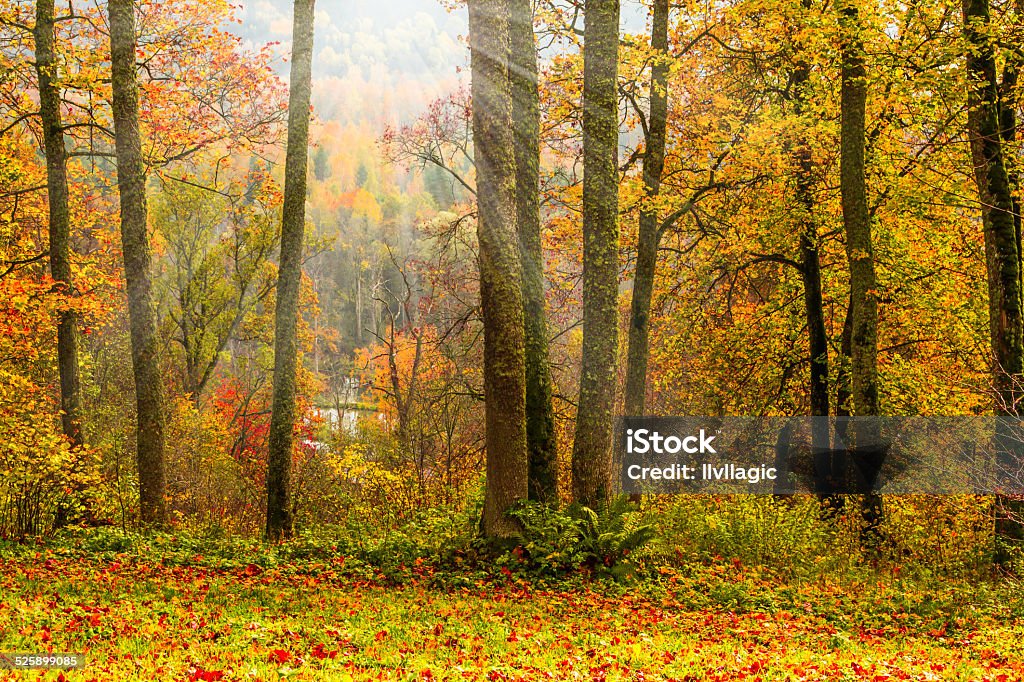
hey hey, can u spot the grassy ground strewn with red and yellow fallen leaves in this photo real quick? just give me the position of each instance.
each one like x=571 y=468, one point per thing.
x=142 y=619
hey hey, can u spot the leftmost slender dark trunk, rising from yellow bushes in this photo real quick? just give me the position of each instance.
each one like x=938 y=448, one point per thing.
x=60 y=220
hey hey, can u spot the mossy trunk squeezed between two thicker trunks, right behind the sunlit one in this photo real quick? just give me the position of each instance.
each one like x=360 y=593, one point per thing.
x=527 y=122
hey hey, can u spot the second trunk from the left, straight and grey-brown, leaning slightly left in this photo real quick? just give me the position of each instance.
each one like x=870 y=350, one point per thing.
x=136 y=245
